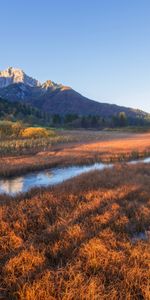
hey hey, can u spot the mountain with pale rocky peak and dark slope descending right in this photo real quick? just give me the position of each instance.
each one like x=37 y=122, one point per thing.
x=54 y=98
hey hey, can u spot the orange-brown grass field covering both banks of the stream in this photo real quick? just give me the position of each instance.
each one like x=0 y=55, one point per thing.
x=86 y=239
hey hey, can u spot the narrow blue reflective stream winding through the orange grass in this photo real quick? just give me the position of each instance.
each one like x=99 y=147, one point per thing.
x=46 y=178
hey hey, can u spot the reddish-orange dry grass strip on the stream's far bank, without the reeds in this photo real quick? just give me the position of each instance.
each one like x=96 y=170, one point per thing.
x=89 y=147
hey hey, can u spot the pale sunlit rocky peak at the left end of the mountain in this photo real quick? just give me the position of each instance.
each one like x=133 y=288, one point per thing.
x=12 y=75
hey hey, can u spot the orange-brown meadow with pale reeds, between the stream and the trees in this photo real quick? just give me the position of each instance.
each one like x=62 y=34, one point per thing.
x=74 y=148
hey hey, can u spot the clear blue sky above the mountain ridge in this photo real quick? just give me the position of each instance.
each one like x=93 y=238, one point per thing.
x=101 y=48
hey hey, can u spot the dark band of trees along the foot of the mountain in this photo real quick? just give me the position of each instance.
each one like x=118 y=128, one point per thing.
x=19 y=111
